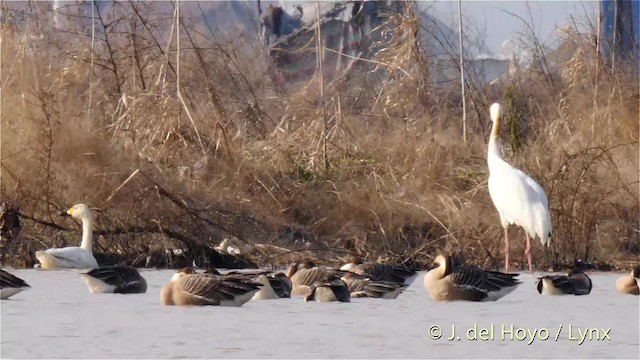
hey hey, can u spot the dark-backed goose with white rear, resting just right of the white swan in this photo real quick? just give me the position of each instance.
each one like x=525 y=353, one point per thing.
x=118 y=279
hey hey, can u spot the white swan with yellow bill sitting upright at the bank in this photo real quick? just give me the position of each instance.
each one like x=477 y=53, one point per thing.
x=73 y=257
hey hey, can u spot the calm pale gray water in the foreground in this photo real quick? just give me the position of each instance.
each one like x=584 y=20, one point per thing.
x=60 y=318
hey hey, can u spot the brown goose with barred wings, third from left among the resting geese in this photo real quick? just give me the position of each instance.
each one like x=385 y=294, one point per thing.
x=190 y=288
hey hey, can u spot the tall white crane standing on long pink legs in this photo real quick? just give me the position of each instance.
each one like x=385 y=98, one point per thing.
x=517 y=197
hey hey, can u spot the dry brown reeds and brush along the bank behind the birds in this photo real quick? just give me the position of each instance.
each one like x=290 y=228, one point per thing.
x=376 y=166
